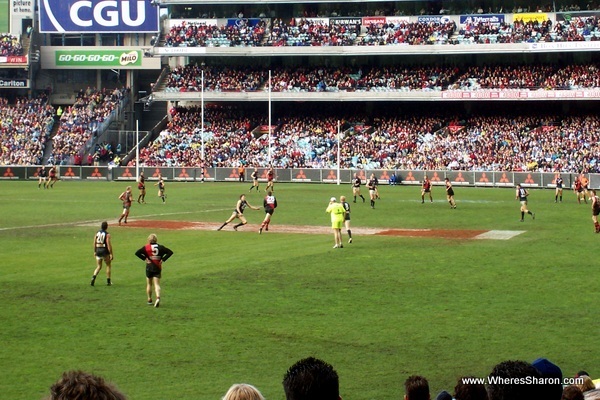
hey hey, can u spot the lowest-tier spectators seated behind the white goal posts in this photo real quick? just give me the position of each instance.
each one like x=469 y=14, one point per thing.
x=497 y=142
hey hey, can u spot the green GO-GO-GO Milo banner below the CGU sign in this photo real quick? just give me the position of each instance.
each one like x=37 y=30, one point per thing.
x=98 y=58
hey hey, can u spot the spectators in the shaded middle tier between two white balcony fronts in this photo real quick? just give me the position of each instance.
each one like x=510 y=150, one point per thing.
x=388 y=78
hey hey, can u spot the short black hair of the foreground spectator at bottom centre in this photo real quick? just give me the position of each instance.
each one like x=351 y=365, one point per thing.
x=311 y=379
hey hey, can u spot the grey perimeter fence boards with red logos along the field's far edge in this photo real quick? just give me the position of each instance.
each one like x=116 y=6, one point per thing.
x=304 y=175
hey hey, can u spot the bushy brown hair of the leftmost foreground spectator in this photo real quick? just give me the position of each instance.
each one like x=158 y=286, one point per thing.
x=76 y=385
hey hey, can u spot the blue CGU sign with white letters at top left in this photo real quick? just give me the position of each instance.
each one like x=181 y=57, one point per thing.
x=98 y=16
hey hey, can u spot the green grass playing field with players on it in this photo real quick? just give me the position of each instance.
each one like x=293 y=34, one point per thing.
x=243 y=307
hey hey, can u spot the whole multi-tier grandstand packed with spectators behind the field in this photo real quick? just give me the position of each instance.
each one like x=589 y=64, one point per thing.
x=560 y=135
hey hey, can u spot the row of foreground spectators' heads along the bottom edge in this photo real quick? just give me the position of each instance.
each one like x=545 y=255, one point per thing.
x=311 y=378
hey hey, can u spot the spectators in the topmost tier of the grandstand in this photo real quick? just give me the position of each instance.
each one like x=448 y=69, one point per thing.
x=307 y=32
